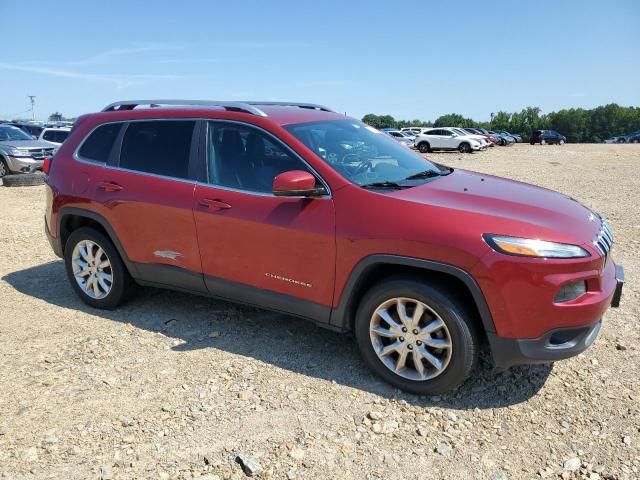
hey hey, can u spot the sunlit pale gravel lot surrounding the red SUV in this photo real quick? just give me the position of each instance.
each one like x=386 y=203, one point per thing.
x=175 y=386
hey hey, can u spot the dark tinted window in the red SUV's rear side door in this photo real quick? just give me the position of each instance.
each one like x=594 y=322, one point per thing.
x=158 y=147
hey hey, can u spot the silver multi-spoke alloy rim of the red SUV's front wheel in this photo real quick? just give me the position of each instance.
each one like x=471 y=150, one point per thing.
x=410 y=339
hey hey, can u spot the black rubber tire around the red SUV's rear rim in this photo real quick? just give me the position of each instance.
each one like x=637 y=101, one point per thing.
x=123 y=285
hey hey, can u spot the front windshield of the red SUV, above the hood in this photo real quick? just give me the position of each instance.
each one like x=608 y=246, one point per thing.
x=361 y=153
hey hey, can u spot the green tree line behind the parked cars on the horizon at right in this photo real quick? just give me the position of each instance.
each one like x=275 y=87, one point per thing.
x=577 y=124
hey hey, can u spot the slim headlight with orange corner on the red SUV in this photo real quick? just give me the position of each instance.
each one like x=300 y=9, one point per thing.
x=528 y=247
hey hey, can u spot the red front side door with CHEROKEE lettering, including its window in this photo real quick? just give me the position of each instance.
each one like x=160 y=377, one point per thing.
x=275 y=252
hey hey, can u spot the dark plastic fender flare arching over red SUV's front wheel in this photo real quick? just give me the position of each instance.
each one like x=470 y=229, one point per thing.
x=340 y=312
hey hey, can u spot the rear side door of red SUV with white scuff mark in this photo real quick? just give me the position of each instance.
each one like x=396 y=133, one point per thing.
x=147 y=196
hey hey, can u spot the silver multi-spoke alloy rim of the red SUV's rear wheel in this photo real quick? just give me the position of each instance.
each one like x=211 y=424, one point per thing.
x=92 y=269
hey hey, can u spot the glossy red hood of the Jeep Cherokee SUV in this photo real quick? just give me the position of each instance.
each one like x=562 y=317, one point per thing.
x=497 y=205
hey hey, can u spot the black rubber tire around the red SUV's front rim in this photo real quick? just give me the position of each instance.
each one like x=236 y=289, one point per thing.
x=462 y=330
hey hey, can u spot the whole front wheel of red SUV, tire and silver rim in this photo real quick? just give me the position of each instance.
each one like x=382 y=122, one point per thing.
x=416 y=337
